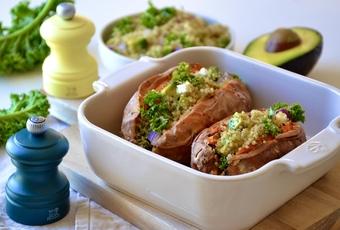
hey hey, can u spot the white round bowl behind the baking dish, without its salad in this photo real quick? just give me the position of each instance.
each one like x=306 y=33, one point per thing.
x=113 y=61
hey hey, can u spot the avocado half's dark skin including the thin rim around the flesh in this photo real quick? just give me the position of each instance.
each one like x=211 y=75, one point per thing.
x=302 y=64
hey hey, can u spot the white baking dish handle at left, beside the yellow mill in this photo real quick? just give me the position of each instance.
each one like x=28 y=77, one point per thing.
x=132 y=69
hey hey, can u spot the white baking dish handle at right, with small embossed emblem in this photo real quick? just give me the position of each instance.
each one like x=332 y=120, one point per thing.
x=319 y=148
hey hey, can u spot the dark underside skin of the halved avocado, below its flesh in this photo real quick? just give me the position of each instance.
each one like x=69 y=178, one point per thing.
x=305 y=63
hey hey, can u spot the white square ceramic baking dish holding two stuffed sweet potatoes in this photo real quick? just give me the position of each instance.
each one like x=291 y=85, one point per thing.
x=208 y=201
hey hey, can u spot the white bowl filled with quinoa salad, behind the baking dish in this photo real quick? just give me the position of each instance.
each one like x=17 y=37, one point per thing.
x=157 y=32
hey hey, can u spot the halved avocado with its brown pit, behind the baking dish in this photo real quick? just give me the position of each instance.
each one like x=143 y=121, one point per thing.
x=296 y=49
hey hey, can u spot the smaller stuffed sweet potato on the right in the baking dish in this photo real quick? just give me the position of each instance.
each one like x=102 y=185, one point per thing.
x=244 y=142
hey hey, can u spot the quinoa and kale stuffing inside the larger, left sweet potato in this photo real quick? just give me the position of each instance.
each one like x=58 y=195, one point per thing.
x=187 y=86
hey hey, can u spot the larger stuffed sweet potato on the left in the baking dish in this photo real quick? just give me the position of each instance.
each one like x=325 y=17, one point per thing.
x=170 y=109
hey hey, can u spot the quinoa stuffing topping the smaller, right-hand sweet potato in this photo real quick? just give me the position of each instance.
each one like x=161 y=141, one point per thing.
x=244 y=131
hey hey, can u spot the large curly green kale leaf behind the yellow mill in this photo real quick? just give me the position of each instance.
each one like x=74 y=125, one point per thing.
x=21 y=46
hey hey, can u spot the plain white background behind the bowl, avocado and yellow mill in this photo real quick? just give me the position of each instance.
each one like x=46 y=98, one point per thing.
x=248 y=19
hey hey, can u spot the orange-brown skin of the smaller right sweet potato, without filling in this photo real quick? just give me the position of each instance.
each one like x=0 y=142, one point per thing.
x=204 y=158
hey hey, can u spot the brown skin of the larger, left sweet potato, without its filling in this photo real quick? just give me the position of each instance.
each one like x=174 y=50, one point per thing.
x=175 y=142
